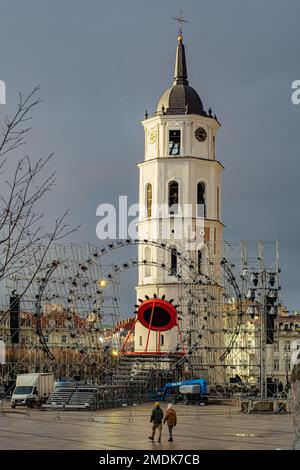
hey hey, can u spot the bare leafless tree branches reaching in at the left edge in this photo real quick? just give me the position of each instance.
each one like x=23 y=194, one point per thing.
x=22 y=236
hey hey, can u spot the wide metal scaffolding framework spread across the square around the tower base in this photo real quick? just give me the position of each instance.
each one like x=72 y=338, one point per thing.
x=70 y=309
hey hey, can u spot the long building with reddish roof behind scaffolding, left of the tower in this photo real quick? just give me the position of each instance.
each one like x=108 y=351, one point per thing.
x=75 y=348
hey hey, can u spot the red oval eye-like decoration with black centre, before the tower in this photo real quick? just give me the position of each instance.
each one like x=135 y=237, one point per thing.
x=157 y=315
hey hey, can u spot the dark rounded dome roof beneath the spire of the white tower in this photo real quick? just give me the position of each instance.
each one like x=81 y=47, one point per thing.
x=180 y=99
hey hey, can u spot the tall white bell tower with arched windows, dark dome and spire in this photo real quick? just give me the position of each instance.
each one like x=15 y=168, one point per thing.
x=180 y=169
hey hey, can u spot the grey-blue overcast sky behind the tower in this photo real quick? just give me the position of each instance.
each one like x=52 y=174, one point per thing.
x=100 y=64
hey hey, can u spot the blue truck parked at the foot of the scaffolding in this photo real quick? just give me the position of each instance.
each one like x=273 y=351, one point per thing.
x=186 y=391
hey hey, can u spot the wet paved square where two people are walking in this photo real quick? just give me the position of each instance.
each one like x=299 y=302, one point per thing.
x=211 y=427
